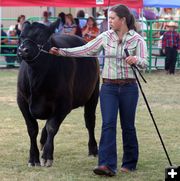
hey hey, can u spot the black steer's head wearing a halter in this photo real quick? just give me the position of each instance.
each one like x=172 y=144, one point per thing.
x=33 y=38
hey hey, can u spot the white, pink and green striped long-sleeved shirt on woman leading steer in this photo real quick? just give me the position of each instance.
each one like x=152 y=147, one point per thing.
x=115 y=66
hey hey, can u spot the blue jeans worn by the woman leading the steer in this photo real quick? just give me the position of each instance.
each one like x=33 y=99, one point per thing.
x=124 y=98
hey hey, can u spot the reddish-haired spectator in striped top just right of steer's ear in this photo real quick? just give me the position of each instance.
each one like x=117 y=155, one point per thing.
x=69 y=26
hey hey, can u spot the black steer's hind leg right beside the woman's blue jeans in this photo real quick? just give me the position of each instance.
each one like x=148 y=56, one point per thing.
x=90 y=117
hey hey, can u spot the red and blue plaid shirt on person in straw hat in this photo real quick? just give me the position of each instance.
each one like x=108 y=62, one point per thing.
x=171 y=39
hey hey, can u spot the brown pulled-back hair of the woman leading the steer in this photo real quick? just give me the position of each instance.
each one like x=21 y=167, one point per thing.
x=123 y=11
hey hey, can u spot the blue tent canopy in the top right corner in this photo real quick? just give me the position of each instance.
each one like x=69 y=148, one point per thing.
x=162 y=3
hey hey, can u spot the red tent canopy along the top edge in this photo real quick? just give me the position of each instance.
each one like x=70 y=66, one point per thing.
x=72 y=3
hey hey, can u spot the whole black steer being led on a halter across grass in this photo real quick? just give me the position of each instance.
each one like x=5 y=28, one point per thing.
x=49 y=87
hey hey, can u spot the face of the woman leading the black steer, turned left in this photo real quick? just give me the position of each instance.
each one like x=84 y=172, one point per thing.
x=115 y=22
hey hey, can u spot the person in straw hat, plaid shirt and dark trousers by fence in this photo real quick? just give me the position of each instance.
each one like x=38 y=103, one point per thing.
x=170 y=46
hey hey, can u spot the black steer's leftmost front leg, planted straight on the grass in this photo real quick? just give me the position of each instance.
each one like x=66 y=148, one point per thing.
x=32 y=127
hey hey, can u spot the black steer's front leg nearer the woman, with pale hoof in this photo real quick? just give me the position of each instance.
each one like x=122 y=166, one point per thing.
x=52 y=127
